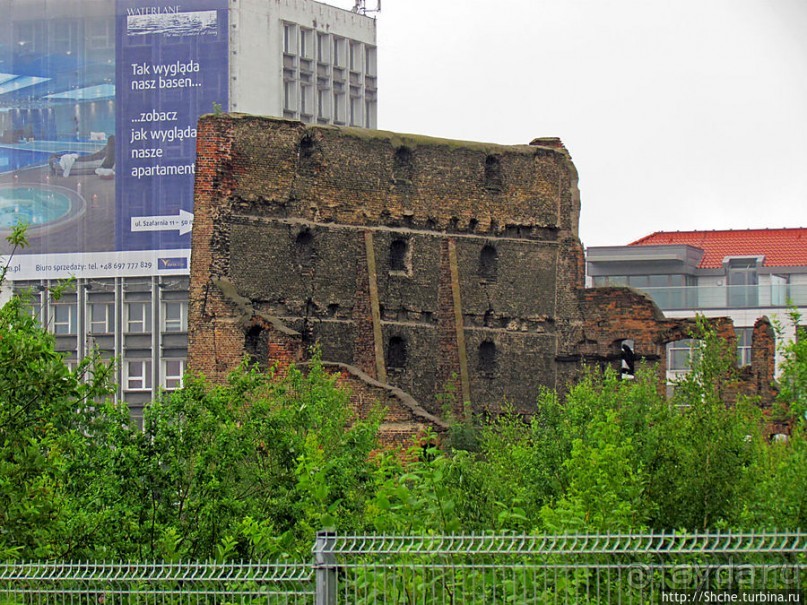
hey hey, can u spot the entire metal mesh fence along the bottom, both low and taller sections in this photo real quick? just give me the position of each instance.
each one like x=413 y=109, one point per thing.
x=471 y=569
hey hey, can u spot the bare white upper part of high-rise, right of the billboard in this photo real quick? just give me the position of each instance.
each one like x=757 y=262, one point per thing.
x=303 y=60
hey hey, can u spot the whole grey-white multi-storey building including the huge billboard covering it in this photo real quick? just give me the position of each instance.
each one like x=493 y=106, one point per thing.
x=98 y=107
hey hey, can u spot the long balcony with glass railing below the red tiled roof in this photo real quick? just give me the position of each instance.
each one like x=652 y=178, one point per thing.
x=728 y=297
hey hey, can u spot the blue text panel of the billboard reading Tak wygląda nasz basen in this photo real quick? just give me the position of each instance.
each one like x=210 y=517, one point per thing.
x=171 y=68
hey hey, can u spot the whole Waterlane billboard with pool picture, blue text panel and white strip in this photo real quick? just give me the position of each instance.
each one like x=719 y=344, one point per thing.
x=98 y=109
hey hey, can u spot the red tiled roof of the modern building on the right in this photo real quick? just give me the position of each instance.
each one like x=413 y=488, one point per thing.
x=781 y=247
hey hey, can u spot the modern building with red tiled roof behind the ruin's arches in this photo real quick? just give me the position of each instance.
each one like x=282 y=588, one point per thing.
x=742 y=274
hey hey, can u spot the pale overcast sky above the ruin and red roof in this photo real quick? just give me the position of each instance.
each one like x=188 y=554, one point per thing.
x=679 y=114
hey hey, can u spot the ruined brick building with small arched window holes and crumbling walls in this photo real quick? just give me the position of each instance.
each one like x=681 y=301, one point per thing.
x=415 y=263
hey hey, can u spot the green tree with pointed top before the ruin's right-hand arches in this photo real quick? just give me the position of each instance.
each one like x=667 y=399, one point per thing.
x=704 y=452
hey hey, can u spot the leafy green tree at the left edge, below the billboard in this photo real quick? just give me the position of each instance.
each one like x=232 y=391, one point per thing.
x=48 y=428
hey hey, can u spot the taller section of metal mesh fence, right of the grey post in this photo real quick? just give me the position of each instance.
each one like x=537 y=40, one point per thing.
x=560 y=569
